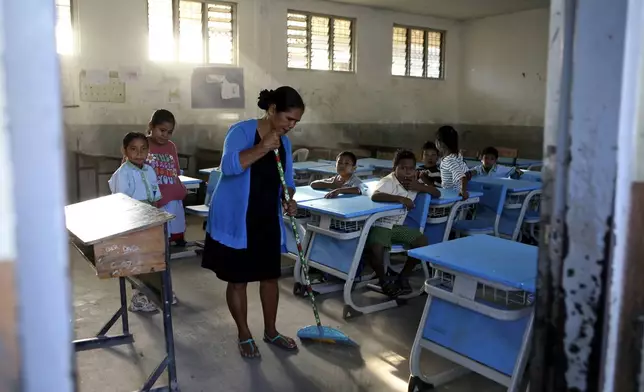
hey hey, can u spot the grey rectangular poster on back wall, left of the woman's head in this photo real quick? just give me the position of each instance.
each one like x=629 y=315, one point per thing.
x=217 y=88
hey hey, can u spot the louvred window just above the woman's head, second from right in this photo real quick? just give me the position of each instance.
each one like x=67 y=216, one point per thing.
x=319 y=42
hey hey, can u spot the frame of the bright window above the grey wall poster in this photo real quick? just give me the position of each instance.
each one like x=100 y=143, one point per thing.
x=204 y=31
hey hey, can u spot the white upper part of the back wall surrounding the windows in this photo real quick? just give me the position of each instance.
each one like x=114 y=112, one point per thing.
x=114 y=33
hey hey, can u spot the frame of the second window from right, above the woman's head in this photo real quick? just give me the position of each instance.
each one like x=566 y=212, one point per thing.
x=309 y=15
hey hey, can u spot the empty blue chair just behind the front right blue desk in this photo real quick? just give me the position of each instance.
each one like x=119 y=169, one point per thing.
x=488 y=212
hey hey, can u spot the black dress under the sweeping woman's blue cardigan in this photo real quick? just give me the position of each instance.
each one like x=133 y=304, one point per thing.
x=261 y=259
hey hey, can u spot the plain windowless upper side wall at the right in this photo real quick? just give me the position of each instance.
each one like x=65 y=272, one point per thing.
x=503 y=74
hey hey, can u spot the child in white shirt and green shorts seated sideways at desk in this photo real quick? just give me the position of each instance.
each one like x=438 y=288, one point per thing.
x=401 y=186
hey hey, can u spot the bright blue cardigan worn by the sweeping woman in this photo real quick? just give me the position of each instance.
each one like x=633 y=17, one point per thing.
x=227 y=216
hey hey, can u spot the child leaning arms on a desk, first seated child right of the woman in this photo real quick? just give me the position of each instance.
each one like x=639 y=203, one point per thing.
x=345 y=182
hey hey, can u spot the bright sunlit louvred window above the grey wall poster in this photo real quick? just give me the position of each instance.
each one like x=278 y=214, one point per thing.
x=195 y=31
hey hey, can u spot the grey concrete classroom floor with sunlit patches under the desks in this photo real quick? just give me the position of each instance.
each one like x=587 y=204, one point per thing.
x=205 y=341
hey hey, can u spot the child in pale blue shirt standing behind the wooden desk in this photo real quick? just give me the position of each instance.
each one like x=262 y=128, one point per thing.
x=138 y=180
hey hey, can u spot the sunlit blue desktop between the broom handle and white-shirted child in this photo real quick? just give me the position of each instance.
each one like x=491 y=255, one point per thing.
x=348 y=207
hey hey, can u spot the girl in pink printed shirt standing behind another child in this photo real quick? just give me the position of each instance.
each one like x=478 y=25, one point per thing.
x=164 y=160
